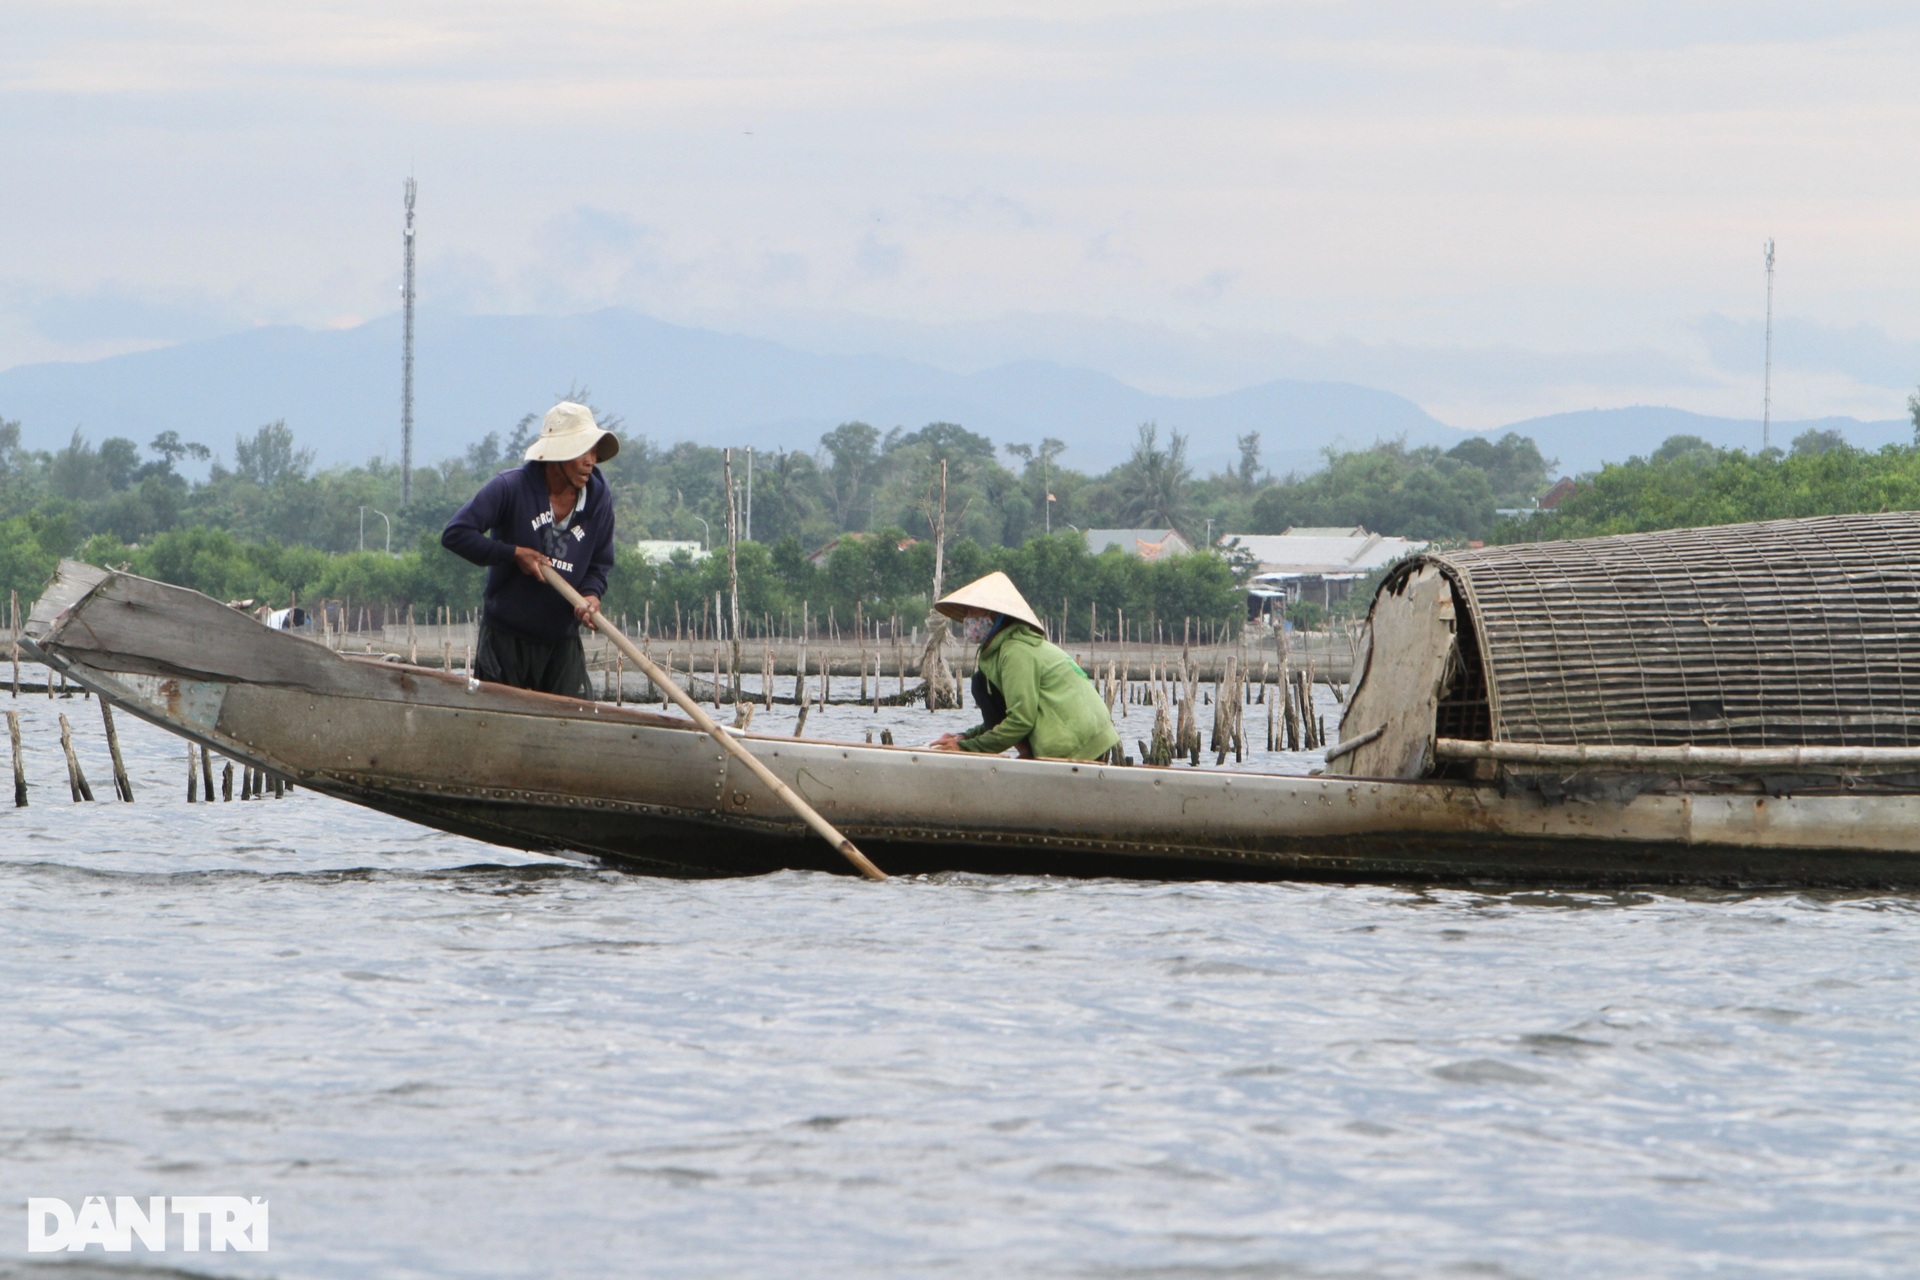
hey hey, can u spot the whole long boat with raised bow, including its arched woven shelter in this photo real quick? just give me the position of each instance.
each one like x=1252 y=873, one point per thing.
x=1545 y=715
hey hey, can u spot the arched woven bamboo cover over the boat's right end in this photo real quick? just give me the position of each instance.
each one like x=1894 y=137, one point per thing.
x=1777 y=634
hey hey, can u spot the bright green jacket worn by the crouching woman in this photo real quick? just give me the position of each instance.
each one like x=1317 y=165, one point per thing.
x=1051 y=703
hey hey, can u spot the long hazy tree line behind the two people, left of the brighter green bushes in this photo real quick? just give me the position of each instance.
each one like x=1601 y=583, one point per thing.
x=268 y=525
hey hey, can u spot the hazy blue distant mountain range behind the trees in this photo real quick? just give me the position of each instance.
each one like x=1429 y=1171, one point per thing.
x=475 y=375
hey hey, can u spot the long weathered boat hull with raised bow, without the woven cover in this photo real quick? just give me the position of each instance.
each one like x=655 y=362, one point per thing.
x=650 y=794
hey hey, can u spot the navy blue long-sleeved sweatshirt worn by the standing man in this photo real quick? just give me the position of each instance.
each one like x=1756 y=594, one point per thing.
x=514 y=508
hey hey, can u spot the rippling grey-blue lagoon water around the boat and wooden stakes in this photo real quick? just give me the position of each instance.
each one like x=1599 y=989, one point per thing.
x=441 y=1058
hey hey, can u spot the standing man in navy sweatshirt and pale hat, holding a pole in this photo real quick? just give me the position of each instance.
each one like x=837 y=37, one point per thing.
x=556 y=510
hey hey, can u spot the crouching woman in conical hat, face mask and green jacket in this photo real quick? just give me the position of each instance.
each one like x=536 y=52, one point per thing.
x=1032 y=696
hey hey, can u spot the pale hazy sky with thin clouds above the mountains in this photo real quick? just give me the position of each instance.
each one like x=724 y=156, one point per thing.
x=1499 y=210
